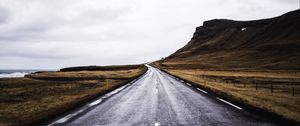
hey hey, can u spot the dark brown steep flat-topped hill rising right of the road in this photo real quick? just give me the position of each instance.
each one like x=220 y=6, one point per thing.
x=267 y=44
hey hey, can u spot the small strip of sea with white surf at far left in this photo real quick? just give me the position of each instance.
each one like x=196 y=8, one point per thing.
x=15 y=73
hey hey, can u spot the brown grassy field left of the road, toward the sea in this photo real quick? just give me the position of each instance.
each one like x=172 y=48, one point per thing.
x=42 y=95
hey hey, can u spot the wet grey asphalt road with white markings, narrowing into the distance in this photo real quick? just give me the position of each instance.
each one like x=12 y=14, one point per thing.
x=157 y=99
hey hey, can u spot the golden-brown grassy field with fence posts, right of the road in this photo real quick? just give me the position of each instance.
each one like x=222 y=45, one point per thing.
x=277 y=92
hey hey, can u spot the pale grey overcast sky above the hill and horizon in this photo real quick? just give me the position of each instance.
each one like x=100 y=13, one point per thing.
x=51 y=34
